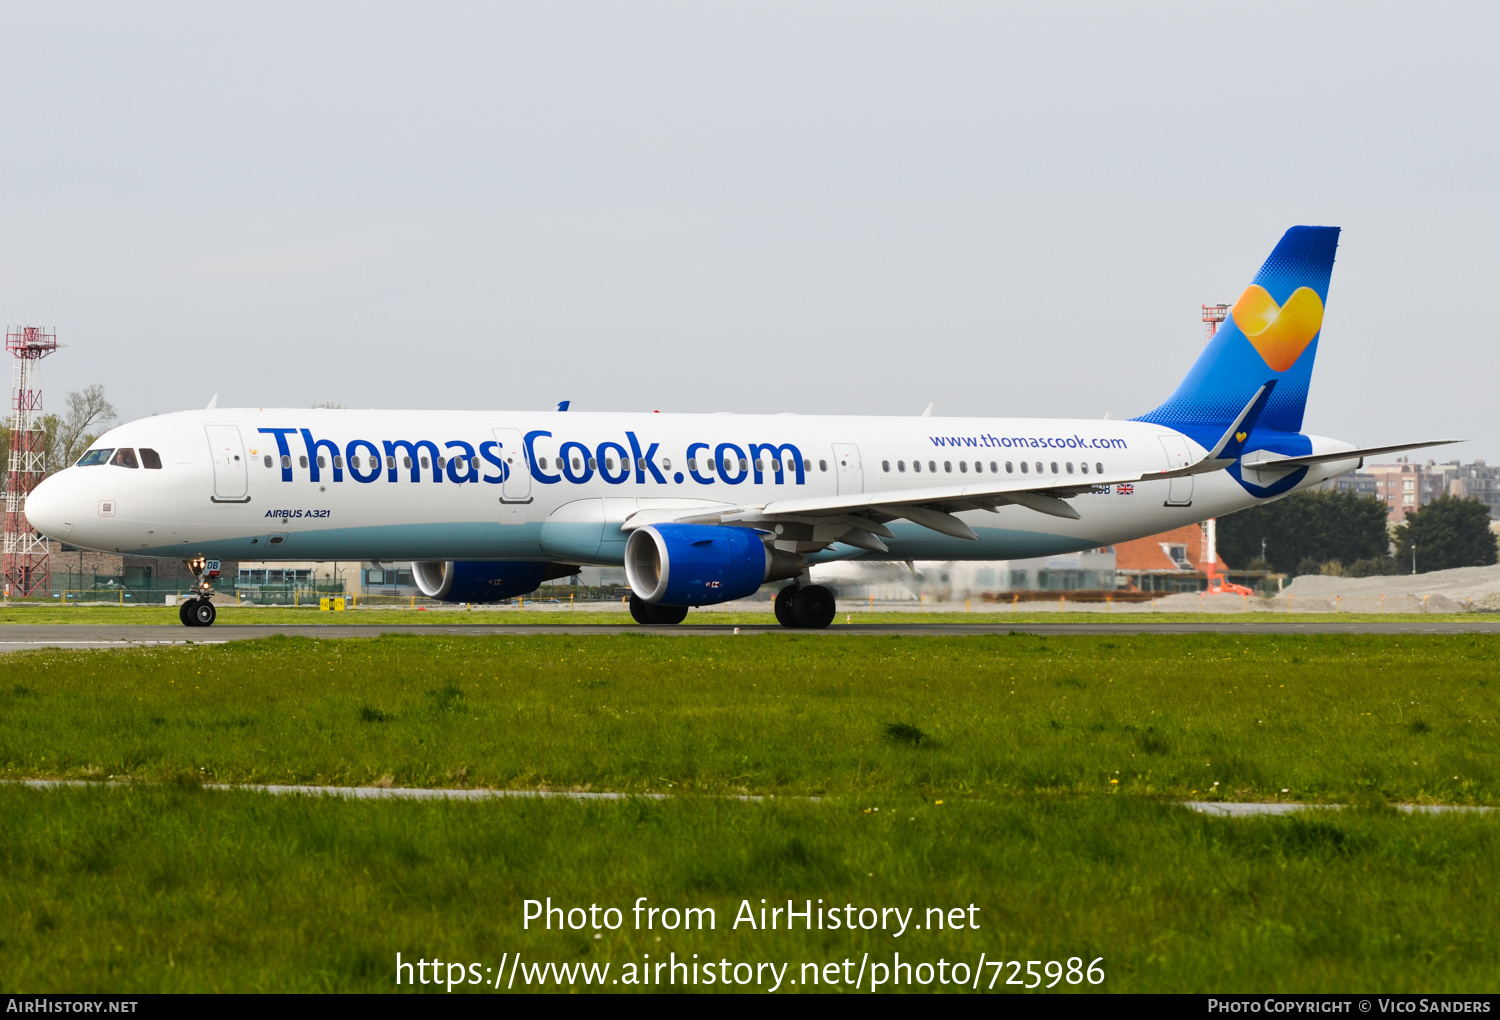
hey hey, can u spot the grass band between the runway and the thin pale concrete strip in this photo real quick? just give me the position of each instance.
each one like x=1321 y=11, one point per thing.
x=1276 y=718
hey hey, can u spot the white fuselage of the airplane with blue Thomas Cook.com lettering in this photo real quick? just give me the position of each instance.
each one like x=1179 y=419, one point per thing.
x=247 y=484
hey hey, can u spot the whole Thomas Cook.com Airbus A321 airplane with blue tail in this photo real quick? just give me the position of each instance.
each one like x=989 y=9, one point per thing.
x=704 y=509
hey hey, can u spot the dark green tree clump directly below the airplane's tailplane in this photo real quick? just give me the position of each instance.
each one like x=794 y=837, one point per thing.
x=1318 y=527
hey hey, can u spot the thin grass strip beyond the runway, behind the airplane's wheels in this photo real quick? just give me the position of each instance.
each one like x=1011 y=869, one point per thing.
x=535 y=617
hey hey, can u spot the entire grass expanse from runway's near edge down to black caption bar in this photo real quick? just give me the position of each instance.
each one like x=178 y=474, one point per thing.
x=1030 y=776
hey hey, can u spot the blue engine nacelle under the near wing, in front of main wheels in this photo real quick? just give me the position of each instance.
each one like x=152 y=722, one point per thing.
x=701 y=565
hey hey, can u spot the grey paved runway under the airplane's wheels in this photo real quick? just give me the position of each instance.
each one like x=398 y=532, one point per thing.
x=32 y=637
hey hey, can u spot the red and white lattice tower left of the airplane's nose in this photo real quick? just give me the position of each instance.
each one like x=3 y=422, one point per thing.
x=25 y=563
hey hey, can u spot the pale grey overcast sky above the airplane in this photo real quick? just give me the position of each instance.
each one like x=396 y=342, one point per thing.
x=818 y=208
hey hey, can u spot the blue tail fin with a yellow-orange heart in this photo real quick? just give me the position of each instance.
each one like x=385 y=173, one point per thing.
x=1271 y=335
